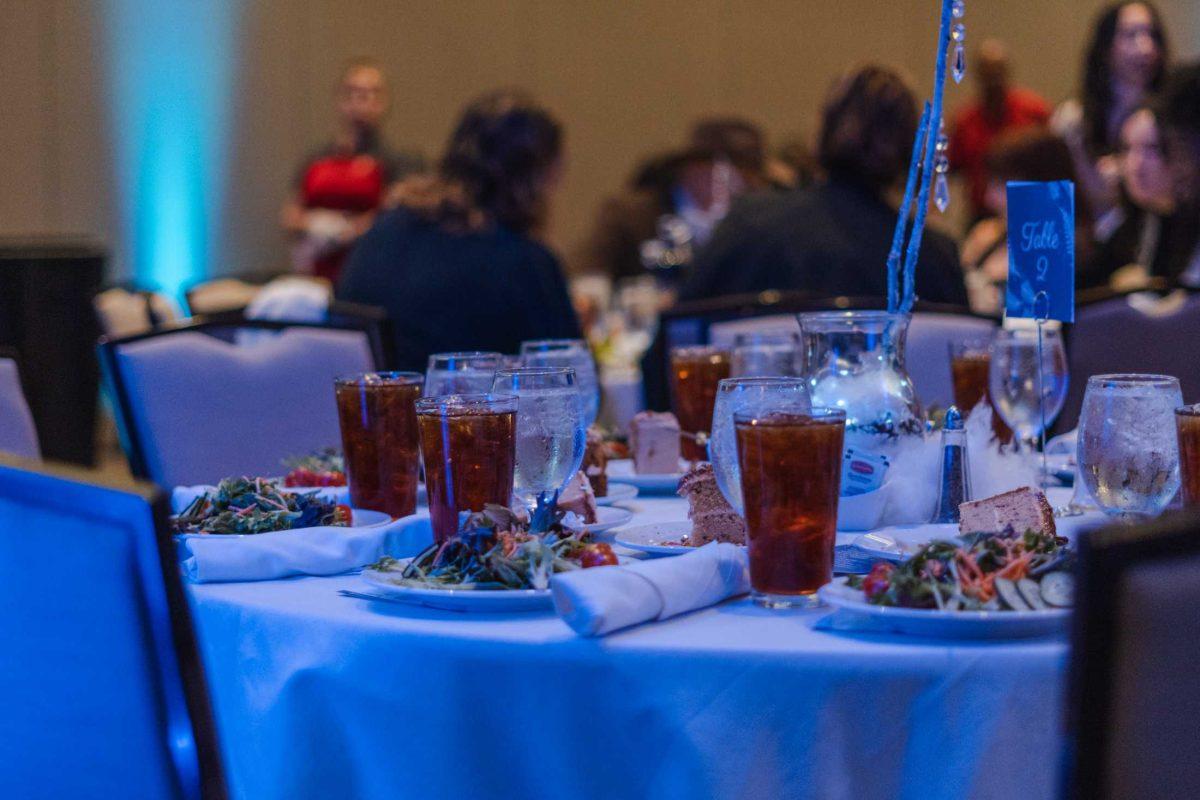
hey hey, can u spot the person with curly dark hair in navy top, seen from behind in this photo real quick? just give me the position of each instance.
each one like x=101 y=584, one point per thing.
x=458 y=264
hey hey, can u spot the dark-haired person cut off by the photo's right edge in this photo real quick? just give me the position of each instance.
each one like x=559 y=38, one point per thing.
x=1180 y=117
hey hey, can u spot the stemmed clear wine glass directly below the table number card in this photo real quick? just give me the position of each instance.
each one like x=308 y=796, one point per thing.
x=1013 y=381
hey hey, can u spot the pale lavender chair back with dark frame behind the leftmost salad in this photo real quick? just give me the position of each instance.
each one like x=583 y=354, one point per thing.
x=195 y=408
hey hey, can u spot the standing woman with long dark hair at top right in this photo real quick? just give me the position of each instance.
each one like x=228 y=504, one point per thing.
x=1125 y=63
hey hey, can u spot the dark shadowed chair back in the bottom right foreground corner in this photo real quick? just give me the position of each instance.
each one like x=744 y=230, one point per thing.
x=1135 y=688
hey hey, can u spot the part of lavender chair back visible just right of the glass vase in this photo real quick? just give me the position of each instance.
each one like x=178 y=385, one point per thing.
x=928 y=353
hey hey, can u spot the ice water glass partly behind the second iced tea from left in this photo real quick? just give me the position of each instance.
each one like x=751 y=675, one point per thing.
x=551 y=432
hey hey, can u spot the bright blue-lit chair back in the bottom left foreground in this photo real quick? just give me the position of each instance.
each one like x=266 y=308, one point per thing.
x=103 y=688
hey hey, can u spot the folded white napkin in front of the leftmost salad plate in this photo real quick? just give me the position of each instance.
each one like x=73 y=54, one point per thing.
x=309 y=551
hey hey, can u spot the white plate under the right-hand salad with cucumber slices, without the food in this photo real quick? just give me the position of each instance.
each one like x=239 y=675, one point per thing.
x=947 y=625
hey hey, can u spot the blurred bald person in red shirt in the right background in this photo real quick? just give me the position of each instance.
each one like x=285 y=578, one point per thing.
x=1001 y=107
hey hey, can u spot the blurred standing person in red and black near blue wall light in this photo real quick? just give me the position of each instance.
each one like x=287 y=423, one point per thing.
x=340 y=189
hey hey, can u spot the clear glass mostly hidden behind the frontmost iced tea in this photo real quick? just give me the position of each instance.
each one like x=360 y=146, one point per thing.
x=747 y=396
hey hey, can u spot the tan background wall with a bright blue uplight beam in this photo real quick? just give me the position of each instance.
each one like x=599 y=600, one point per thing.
x=171 y=129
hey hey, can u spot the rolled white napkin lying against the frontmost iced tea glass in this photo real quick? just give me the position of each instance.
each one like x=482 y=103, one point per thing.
x=603 y=600
